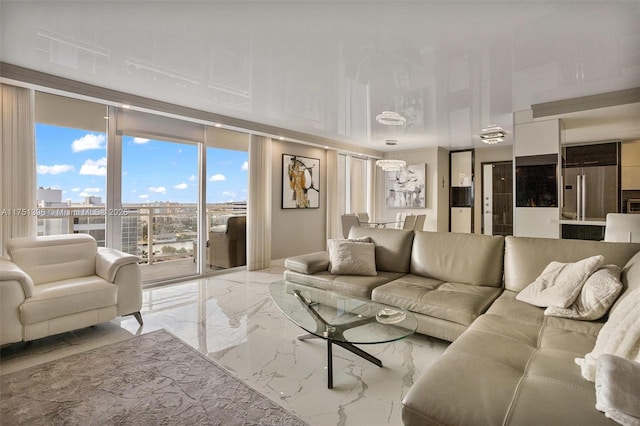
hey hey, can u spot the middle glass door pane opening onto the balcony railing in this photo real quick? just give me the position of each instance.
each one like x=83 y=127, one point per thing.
x=160 y=195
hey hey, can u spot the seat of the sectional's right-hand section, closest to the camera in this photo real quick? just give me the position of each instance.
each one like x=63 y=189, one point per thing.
x=508 y=371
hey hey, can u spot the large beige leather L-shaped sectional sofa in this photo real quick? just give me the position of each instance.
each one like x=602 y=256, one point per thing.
x=508 y=363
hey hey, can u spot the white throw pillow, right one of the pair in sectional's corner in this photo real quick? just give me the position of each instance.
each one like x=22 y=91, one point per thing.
x=596 y=297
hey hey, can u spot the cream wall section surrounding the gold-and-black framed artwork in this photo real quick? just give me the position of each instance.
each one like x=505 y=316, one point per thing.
x=296 y=231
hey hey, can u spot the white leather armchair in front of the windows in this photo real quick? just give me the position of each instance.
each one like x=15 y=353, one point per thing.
x=58 y=283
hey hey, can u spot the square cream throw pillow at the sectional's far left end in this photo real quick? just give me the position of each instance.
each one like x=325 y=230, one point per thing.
x=352 y=258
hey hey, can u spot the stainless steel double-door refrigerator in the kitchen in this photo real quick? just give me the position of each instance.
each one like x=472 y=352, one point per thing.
x=590 y=192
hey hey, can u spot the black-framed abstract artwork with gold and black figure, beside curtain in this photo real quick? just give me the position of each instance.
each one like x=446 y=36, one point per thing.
x=300 y=182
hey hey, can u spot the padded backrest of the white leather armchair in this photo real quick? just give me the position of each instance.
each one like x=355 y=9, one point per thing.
x=54 y=257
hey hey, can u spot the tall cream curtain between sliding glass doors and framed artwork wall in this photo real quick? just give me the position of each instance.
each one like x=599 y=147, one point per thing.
x=259 y=204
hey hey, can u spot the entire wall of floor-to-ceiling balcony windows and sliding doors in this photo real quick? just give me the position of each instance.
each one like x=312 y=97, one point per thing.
x=136 y=181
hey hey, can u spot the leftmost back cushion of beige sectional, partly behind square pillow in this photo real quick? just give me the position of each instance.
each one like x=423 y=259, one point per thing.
x=392 y=246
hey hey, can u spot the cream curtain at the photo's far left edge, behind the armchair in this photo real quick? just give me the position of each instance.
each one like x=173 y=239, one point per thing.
x=17 y=164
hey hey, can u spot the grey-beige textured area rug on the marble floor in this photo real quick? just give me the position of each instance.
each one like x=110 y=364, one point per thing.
x=152 y=379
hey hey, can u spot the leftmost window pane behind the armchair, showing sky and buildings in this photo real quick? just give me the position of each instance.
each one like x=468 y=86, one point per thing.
x=71 y=168
